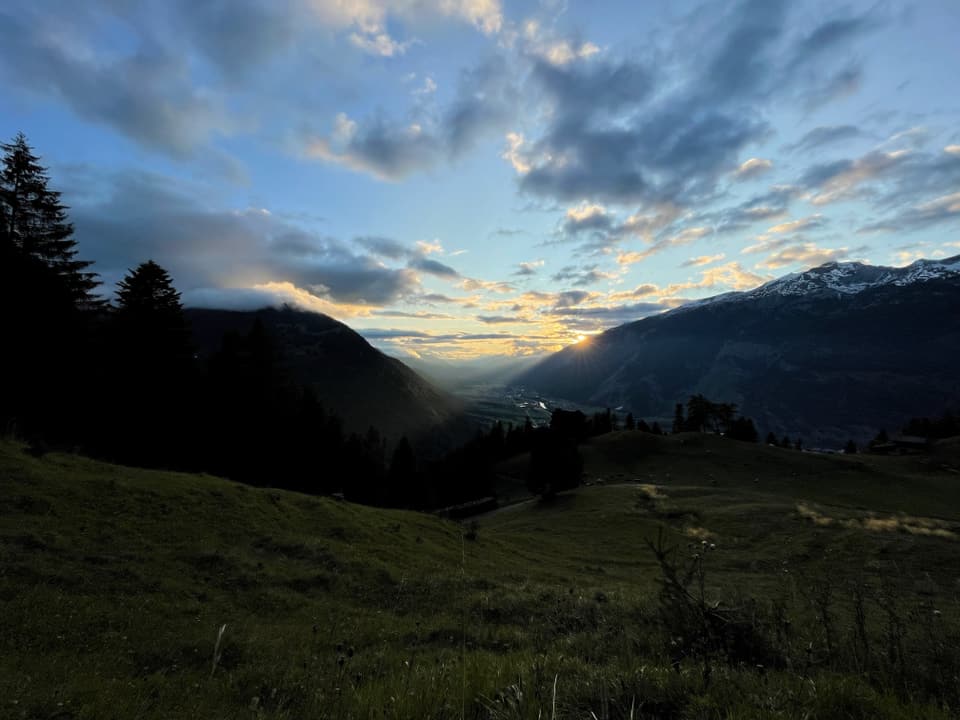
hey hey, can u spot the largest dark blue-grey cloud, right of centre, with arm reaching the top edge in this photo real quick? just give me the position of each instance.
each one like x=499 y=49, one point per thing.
x=612 y=139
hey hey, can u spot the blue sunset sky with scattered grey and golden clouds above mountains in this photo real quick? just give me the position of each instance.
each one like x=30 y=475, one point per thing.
x=467 y=178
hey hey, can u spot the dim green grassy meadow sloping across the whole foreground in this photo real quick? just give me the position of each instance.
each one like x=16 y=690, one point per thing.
x=834 y=580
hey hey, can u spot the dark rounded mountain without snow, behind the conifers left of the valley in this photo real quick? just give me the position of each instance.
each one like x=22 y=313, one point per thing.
x=357 y=382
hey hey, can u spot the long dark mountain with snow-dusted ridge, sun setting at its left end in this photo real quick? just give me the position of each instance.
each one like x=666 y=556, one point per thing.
x=834 y=352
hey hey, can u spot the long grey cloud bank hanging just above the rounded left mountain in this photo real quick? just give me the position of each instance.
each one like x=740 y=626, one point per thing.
x=135 y=216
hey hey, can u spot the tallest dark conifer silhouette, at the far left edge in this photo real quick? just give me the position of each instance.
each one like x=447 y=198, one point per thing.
x=43 y=290
